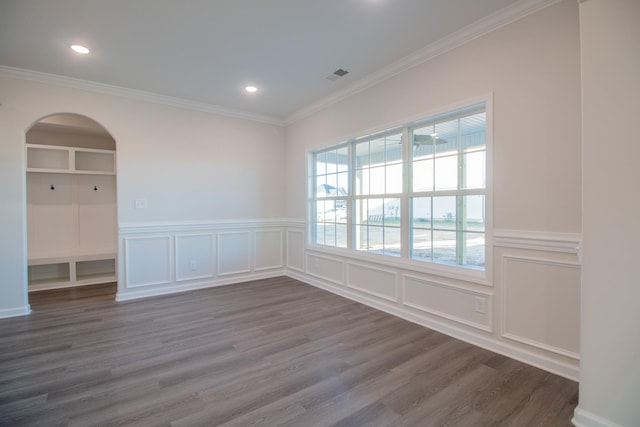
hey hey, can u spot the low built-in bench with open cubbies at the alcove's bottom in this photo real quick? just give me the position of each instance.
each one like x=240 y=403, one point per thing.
x=75 y=271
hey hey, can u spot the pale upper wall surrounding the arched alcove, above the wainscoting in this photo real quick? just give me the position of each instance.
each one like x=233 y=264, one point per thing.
x=190 y=166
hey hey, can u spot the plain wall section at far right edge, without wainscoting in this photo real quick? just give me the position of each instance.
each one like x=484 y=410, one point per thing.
x=610 y=341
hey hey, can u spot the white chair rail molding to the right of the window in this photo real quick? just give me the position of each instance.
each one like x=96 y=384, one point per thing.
x=538 y=241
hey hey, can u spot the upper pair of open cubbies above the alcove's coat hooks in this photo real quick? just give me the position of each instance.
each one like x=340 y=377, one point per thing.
x=56 y=159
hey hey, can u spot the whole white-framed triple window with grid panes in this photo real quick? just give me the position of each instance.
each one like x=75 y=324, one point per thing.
x=416 y=192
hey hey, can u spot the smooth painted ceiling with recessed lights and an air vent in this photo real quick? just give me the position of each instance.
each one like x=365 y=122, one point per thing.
x=207 y=51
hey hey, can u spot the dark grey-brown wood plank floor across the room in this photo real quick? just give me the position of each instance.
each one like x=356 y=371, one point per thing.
x=269 y=352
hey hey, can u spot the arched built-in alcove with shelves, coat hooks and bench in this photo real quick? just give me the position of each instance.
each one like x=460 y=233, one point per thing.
x=71 y=203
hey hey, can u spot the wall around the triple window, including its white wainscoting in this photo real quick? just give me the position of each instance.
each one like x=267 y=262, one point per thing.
x=532 y=69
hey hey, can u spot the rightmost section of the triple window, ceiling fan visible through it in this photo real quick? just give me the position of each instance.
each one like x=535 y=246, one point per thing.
x=448 y=191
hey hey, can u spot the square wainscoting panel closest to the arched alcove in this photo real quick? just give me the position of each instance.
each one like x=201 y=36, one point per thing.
x=147 y=261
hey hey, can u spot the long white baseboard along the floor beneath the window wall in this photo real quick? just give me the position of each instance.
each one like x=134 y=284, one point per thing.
x=486 y=341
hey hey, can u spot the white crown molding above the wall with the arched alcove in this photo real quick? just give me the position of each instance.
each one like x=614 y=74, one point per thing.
x=134 y=94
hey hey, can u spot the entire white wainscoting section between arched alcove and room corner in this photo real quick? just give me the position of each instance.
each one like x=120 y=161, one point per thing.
x=159 y=259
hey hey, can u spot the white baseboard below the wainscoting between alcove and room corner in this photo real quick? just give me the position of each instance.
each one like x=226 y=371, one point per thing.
x=132 y=294
